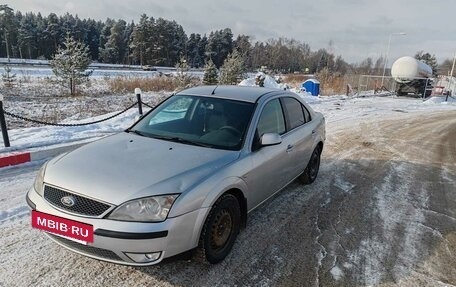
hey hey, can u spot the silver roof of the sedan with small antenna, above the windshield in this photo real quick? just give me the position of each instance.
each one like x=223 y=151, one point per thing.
x=239 y=93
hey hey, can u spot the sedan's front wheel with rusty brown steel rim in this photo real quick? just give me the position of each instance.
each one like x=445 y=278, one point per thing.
x=220 y=229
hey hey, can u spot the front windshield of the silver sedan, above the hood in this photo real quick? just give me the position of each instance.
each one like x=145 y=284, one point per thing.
x=196 y=120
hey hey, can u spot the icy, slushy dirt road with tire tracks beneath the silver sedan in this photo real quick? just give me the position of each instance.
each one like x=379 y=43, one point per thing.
x=382 y=212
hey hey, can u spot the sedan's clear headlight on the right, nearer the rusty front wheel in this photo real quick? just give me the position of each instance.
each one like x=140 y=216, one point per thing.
x=149 y=209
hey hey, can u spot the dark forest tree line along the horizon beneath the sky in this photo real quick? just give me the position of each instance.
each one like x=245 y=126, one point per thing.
x=161 y=42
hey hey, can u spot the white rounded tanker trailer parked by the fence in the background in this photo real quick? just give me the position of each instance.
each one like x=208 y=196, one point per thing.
x=412 y=77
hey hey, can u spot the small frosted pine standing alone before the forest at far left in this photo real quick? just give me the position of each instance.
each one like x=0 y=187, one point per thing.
x=70 y=63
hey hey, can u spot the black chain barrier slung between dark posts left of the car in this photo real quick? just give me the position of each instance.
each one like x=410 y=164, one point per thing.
x=4 y=112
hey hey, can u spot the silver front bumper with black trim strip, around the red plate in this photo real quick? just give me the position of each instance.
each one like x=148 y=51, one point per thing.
x=112 y=239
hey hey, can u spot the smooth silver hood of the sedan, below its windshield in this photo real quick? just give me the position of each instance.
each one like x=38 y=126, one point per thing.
x=127 y=166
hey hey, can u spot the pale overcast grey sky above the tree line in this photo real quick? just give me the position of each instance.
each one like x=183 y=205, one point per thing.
x=357 y=28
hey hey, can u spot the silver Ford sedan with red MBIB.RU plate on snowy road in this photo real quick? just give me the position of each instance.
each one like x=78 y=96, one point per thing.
x=184 y=176
